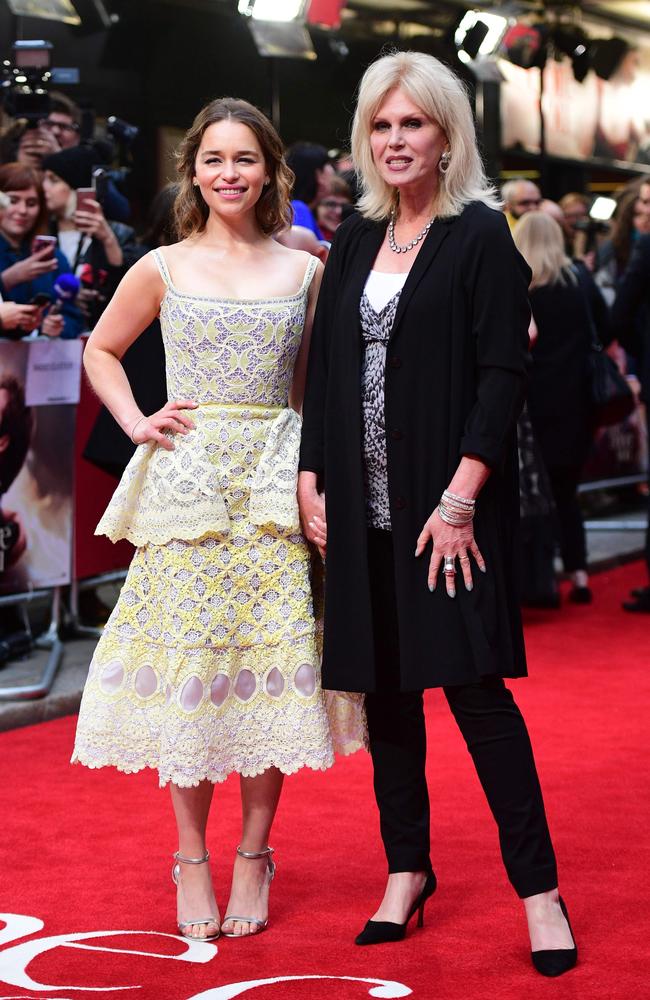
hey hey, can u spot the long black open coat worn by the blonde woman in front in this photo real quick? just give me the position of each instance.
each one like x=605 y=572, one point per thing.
x=455 y=380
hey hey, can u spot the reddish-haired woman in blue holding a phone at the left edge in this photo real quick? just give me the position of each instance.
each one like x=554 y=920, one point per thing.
x=29 y=271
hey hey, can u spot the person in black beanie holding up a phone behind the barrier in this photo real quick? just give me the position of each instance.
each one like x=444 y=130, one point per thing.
x=98 y=251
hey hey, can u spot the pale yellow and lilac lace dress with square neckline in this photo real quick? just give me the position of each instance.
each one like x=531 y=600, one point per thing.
x=209 y=663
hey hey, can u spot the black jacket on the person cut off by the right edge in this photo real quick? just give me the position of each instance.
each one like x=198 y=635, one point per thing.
x=631 y=312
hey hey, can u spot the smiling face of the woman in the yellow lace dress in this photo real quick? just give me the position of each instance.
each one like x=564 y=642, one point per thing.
x=230 y=169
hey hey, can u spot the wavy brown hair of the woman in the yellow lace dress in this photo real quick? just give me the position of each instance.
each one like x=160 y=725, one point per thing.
x=273 y=209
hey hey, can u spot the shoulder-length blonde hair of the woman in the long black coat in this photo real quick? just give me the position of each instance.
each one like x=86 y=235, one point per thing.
x=440 y=94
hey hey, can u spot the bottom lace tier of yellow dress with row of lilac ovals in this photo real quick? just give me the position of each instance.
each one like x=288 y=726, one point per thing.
x=195 y=715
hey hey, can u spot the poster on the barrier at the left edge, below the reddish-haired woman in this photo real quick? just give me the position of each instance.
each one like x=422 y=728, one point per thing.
x=37 y=462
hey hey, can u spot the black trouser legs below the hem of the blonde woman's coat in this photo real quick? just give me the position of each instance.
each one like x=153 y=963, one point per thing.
x=496 y=737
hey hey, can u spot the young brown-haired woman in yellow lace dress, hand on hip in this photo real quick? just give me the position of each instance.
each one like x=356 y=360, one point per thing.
x=209 y=663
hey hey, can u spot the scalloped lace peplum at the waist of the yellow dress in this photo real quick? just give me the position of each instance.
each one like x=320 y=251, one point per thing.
x=165 y=495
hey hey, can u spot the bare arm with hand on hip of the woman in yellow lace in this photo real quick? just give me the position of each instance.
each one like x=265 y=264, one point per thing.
x=131 y=310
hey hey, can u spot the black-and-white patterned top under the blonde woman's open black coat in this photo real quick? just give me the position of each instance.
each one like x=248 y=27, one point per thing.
x=376 y=328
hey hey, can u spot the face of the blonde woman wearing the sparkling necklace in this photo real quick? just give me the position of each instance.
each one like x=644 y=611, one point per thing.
x=406 y=144
